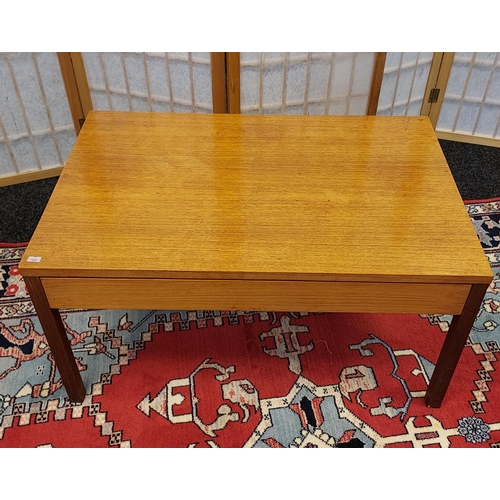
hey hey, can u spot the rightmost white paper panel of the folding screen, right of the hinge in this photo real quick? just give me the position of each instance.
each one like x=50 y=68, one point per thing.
x=471 y=103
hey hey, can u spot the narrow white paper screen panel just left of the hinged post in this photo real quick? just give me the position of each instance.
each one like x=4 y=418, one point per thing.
x=404 y=82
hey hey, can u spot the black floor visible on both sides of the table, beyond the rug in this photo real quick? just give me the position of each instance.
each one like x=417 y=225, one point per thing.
x=476 y=170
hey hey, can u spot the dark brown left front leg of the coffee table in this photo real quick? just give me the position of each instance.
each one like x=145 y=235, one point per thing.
x=56 y=336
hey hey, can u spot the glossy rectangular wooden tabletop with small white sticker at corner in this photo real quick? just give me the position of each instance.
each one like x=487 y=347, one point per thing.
x=159 y=195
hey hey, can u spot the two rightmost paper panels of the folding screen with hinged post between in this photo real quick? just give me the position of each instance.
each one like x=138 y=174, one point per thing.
x=461 y=95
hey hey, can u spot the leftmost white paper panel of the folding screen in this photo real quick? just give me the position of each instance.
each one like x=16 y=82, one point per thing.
x=36 y=127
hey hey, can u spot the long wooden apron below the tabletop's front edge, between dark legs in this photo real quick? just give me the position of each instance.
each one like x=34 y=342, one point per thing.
x=258 y=295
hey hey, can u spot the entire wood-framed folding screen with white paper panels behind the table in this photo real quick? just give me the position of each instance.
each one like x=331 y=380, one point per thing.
x=46 y=96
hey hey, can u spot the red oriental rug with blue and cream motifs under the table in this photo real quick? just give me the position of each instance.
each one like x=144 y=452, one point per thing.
x=248 y=379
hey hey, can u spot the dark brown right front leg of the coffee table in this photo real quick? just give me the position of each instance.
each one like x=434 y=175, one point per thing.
x=453 y=345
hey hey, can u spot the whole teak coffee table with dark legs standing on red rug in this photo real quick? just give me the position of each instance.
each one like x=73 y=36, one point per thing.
x=252 y=212
